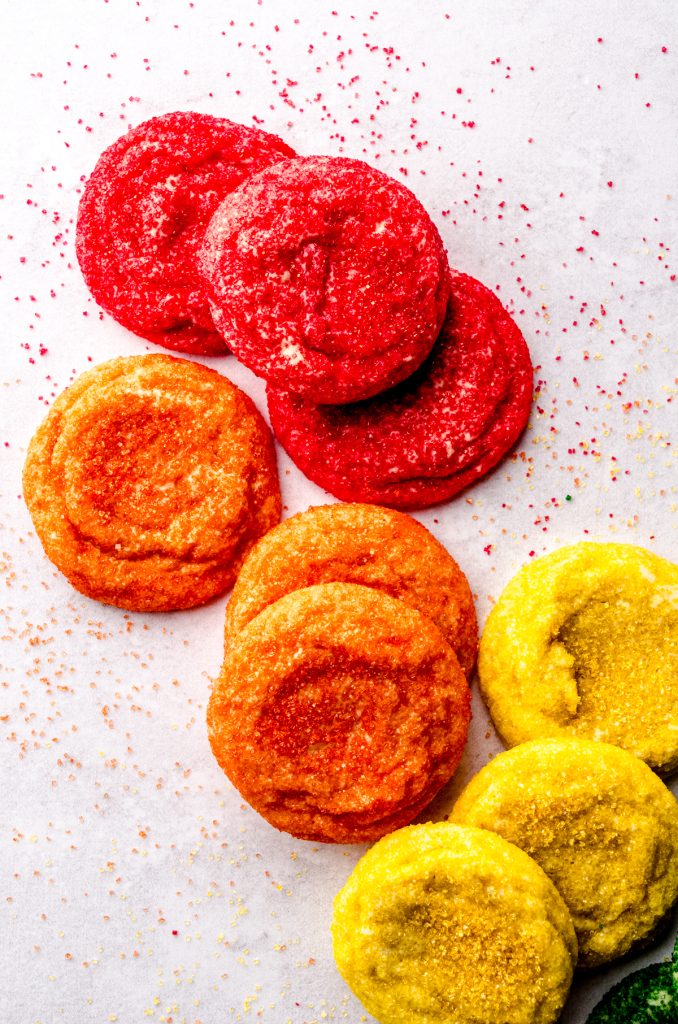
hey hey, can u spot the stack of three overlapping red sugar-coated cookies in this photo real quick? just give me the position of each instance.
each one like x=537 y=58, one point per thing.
x=391 y=378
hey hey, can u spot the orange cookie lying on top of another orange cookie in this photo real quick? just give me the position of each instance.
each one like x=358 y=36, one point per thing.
x=340 y=713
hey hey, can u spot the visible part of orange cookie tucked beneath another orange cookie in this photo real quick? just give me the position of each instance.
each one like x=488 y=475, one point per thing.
x=363 y=544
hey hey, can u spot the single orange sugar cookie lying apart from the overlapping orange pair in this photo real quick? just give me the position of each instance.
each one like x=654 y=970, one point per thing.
x=149 y=482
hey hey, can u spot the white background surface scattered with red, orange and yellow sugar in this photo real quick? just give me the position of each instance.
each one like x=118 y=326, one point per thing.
x=541 y=137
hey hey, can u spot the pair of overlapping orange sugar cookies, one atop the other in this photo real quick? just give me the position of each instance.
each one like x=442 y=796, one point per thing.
x=344 y=705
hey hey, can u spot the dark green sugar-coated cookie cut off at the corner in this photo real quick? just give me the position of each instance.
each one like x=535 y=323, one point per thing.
x=647 y=997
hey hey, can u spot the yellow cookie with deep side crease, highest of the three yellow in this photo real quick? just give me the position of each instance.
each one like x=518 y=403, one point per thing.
x=584 y=643
